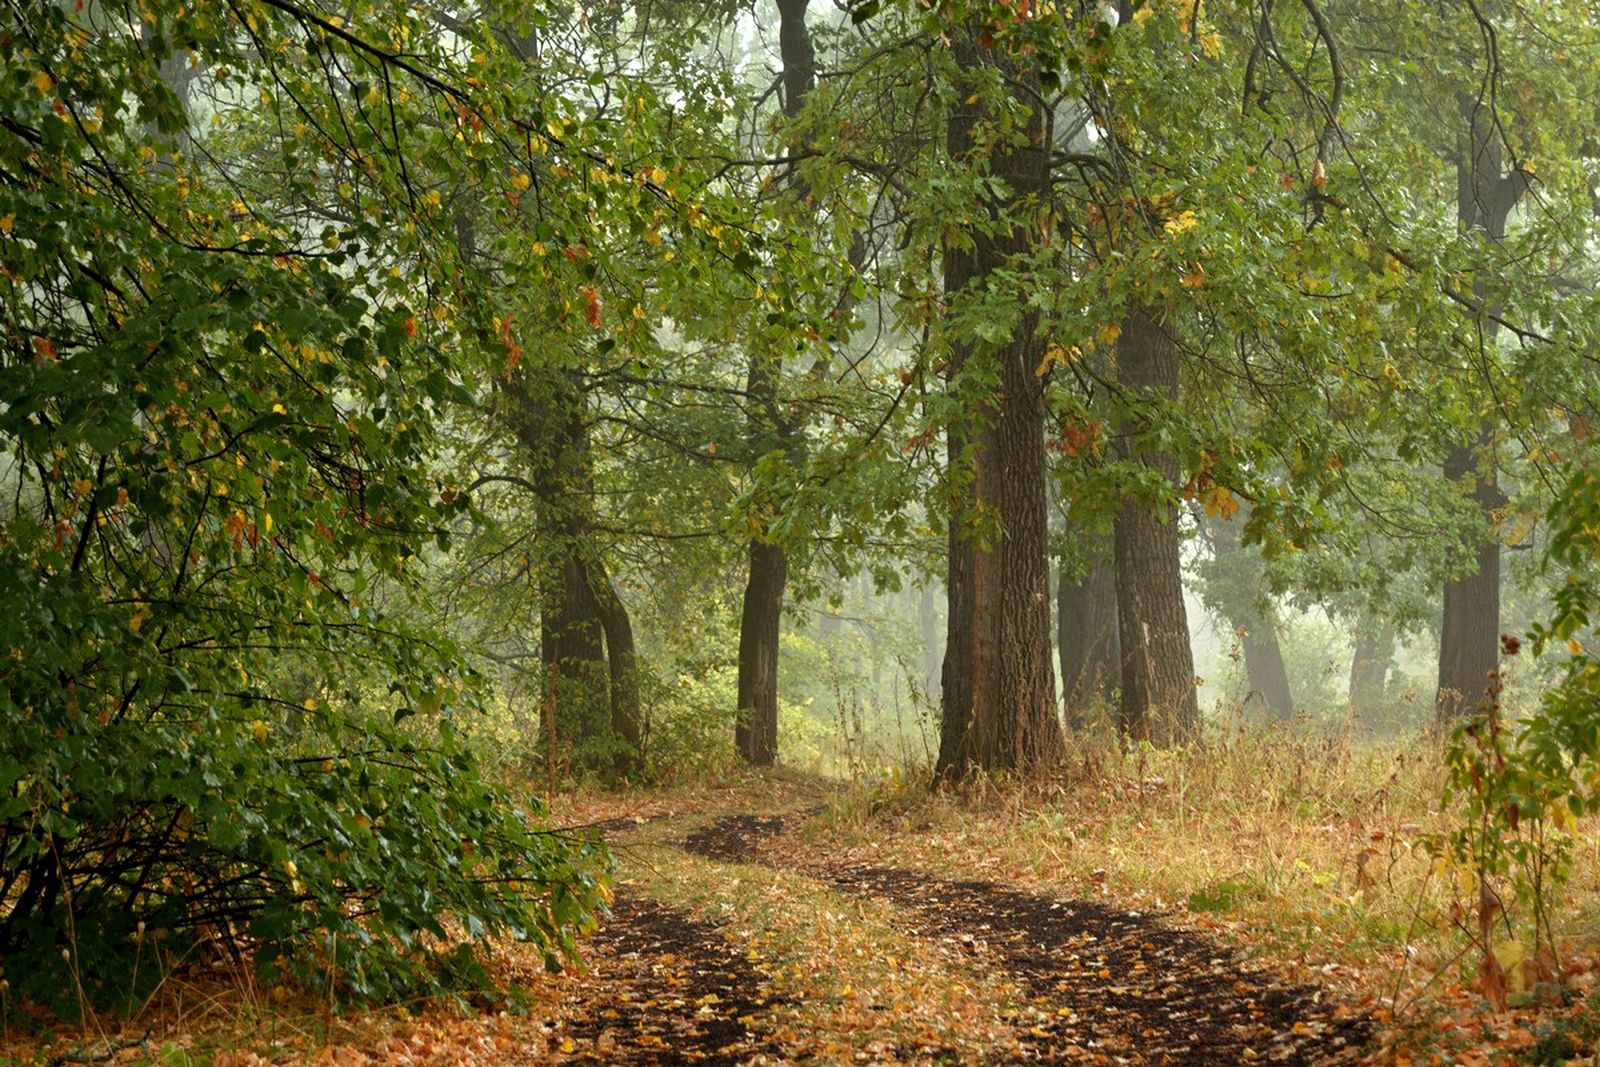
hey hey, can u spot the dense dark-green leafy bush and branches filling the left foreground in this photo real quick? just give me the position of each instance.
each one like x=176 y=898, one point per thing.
x=215 y=441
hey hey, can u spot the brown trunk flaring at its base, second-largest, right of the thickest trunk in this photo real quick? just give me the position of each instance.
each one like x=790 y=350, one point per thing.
x=1159 y=700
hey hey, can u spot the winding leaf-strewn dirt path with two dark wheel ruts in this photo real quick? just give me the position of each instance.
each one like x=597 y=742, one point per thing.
x=1087 y=983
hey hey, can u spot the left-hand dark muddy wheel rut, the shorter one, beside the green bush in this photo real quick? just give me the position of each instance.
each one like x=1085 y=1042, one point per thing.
x=665 y=989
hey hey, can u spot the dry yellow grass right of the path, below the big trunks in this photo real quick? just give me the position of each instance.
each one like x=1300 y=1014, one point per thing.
x=1305 y=852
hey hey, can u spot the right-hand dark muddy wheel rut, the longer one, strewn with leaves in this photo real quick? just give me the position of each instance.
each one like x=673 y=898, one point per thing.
x=1106 y=985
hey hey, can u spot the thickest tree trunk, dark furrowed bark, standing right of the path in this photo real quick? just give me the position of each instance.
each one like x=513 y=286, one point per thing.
x=999 y=681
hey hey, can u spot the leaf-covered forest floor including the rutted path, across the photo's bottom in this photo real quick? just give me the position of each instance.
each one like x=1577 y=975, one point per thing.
x=783 y=921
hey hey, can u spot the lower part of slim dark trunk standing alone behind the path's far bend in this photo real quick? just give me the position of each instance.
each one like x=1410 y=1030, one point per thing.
x=756 y=730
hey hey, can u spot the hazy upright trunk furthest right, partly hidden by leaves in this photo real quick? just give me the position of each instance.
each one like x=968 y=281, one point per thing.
x=1470 y=634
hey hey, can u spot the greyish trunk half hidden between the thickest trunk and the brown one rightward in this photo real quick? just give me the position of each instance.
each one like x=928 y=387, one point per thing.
x=1087 y=631
